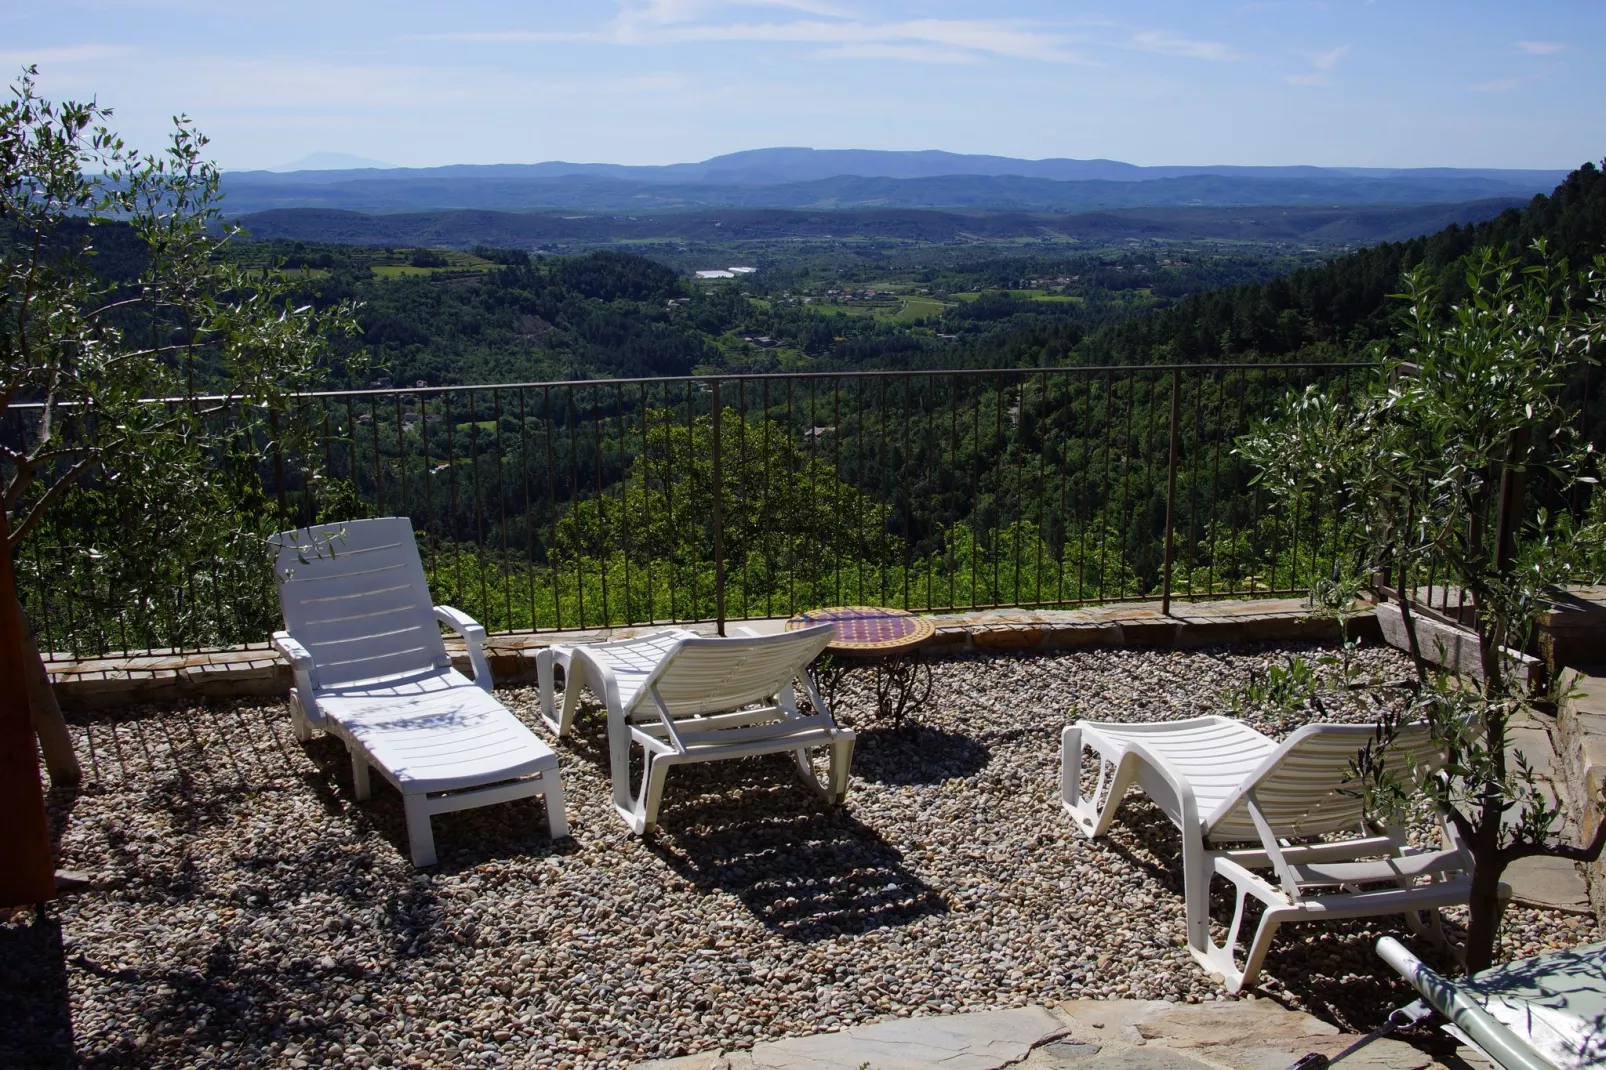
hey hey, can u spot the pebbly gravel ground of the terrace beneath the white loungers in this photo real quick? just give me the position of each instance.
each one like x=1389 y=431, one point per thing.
x=247 y=912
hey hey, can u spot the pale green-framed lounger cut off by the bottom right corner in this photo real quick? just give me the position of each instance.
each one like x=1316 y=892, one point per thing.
x=1544 y=1013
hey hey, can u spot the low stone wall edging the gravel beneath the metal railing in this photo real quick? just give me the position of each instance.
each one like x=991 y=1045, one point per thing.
x=230 y=674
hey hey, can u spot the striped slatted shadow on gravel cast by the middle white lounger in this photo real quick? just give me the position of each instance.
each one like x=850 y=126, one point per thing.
x=807 y=876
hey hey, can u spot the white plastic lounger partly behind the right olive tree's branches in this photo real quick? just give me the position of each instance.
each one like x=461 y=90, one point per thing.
x=1225 y=783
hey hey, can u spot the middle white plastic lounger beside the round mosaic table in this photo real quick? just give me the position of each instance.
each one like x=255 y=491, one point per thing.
x=685 y=698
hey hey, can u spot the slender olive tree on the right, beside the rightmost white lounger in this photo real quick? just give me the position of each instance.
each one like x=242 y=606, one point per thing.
x=1433 y=467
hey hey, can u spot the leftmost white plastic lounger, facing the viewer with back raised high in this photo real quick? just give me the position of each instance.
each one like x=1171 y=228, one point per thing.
x=372 y=671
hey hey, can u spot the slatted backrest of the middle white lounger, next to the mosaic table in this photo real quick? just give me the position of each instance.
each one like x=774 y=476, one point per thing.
x=720 y=676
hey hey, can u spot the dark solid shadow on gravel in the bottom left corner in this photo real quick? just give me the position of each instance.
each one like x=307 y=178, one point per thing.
x=35 y=994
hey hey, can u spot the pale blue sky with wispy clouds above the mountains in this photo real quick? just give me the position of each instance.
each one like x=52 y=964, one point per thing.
x=1388 y=84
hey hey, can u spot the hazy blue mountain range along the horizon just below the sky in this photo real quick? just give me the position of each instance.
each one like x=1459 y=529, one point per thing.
x=863 y=179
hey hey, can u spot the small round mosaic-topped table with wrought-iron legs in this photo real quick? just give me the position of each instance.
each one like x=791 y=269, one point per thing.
x=891 y=639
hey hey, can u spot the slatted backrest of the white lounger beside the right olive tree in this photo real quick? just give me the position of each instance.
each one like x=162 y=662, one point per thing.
x=1305 y=786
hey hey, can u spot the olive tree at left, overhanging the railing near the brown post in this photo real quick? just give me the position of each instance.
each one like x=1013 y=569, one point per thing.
x=115 y=288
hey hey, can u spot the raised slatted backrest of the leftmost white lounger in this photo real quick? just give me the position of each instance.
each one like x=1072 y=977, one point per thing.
x=356 y=597
